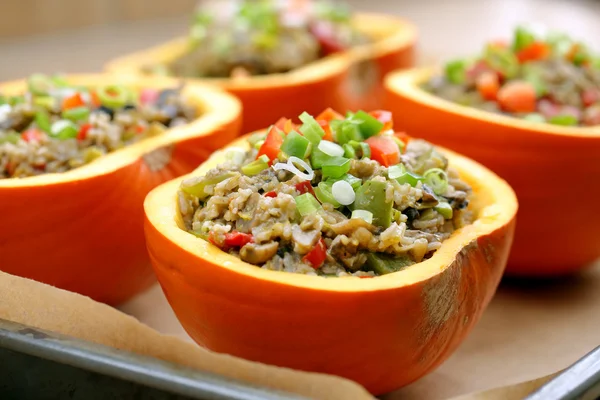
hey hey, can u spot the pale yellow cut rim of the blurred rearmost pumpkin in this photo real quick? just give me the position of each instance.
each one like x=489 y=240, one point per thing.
x=395 y=33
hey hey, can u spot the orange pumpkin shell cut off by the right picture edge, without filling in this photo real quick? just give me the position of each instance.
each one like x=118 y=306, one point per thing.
x=552 y=169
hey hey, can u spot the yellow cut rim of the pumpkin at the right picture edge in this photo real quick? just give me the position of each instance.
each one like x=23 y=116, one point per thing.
x=408 y=84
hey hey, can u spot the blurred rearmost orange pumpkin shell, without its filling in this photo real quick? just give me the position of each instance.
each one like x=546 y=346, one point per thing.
x=348 y=80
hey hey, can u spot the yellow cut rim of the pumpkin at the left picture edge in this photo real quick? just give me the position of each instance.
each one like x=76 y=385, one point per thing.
x=215 y=107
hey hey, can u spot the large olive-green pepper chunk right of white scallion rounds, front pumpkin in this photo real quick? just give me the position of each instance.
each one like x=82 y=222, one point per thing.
x=371 y=196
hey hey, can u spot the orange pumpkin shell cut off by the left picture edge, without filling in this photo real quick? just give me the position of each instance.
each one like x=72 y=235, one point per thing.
x=82 y=230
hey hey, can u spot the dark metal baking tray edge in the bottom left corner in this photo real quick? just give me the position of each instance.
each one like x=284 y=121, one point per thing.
x=37 y=364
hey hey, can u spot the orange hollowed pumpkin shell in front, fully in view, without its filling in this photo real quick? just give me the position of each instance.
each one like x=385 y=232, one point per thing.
x=383 y=332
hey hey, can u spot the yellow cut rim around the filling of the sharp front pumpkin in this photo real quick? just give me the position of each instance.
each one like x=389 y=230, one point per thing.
x=496 y=206
